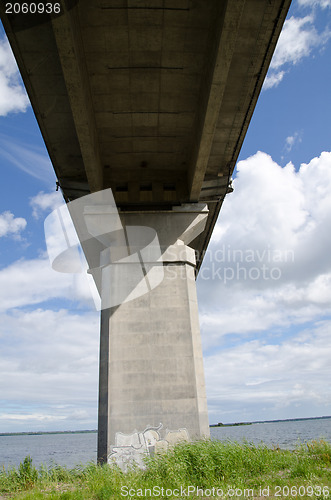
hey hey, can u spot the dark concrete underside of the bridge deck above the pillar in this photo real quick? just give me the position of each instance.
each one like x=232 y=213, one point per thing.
x=149 y=97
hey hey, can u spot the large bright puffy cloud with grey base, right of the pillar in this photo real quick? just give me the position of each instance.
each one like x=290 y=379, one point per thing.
x=271 y=267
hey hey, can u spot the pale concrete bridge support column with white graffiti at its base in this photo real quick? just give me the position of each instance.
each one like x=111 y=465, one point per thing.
x=152 y=389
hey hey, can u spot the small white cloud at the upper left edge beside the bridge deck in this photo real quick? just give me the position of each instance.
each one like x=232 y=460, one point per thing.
x=13 y=97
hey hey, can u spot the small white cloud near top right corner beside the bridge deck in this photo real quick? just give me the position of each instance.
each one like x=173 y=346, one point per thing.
x=297 y=40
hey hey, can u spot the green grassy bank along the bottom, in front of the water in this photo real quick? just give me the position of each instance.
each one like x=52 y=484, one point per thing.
x=235 y=470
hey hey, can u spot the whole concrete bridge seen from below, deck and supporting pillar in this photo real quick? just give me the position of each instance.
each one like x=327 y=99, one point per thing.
x=151 y=98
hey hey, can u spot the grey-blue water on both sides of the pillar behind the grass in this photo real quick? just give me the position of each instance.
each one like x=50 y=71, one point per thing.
x=78 y=449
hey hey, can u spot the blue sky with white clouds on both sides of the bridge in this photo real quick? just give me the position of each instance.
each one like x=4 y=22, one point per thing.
x=265 y=286
